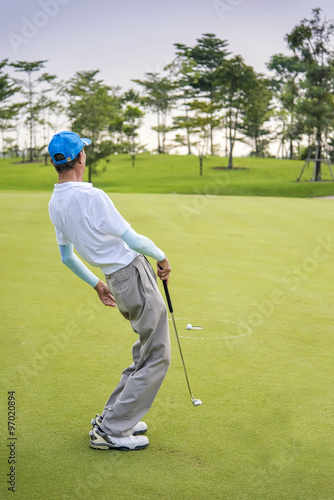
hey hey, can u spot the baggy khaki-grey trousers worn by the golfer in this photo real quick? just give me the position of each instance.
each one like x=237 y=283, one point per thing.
x=139 y=300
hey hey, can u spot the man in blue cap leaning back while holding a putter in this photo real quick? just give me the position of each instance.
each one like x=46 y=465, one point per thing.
x=85 y=217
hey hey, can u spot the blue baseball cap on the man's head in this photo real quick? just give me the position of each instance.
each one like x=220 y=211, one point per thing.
x=67 y=143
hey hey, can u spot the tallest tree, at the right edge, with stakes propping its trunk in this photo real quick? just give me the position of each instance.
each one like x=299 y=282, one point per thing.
x=310 y=42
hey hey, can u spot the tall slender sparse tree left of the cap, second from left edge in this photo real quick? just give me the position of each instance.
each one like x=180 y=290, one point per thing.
x=36 y=101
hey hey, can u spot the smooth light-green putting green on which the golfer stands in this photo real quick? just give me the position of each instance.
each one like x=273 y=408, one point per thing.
x=257 y=274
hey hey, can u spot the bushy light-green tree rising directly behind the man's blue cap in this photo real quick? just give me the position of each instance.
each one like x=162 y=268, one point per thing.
x=91 y=109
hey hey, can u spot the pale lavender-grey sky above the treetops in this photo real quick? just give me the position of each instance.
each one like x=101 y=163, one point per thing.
x=125 y=39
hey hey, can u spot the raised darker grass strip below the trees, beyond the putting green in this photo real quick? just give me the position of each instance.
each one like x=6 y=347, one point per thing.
x=180 y=174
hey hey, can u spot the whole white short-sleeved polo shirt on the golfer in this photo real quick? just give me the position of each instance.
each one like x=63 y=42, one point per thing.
x=86 y=217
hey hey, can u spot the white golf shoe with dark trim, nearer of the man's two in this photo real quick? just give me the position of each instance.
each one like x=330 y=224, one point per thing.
x=102 y=441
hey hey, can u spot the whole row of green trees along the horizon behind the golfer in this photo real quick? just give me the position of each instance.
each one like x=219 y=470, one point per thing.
x=205 y=92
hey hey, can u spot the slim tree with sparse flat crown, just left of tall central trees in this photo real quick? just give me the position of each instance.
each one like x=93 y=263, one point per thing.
x=159 y=97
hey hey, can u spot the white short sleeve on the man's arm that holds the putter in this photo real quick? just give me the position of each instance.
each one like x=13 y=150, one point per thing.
x=106 y=217
